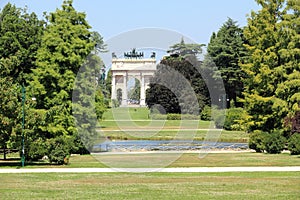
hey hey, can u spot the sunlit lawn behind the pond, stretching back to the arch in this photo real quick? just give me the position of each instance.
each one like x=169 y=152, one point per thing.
x=140 y=127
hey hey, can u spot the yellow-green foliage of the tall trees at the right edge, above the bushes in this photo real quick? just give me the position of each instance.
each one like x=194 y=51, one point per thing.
x=272 y=65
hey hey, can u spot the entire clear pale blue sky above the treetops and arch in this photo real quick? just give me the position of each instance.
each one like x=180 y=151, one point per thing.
x=150 y=25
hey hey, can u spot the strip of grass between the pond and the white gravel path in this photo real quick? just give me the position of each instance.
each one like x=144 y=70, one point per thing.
x=185 y=160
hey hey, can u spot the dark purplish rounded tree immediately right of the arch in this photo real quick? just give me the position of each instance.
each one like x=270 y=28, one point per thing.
x=177 y=84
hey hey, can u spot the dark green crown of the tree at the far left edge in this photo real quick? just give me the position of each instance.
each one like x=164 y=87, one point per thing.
x=20 y=37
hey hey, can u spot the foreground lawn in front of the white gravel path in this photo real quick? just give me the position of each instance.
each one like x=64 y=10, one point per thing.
x=250 y=185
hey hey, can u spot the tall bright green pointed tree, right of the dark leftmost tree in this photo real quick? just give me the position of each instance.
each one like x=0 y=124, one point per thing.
x=66 y=43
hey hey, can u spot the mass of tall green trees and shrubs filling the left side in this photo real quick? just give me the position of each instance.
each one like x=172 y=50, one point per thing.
x=55 y=60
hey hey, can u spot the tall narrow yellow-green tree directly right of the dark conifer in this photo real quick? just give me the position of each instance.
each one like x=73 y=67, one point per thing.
x=262 y=65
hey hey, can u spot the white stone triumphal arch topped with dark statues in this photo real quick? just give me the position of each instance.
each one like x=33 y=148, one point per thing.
x=132 y=65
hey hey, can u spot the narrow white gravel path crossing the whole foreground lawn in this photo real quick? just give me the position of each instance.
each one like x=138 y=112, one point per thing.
x=171 y=170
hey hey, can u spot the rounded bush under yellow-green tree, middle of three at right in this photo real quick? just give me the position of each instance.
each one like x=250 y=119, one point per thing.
x=274 y=143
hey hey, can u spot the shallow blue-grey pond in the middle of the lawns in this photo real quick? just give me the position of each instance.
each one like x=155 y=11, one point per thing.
x=164 y=145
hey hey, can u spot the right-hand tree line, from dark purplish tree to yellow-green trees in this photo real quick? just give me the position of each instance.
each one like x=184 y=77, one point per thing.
x=259 y=67
